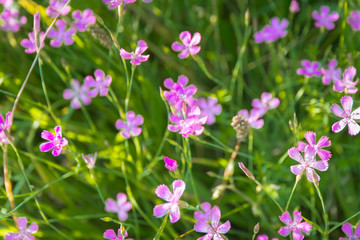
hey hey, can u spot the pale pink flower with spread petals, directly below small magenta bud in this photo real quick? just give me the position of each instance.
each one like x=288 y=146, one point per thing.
x=172 y=205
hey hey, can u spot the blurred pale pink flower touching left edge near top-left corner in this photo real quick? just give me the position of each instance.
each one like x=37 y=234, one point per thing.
x=10 y=20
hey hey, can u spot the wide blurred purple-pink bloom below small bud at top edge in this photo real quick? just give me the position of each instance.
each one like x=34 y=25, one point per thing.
x=272 y=32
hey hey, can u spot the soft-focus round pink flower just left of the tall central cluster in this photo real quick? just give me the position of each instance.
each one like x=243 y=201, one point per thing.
x=130 y=126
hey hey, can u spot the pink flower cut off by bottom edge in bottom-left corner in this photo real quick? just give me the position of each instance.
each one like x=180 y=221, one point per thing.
x=24 y=231
